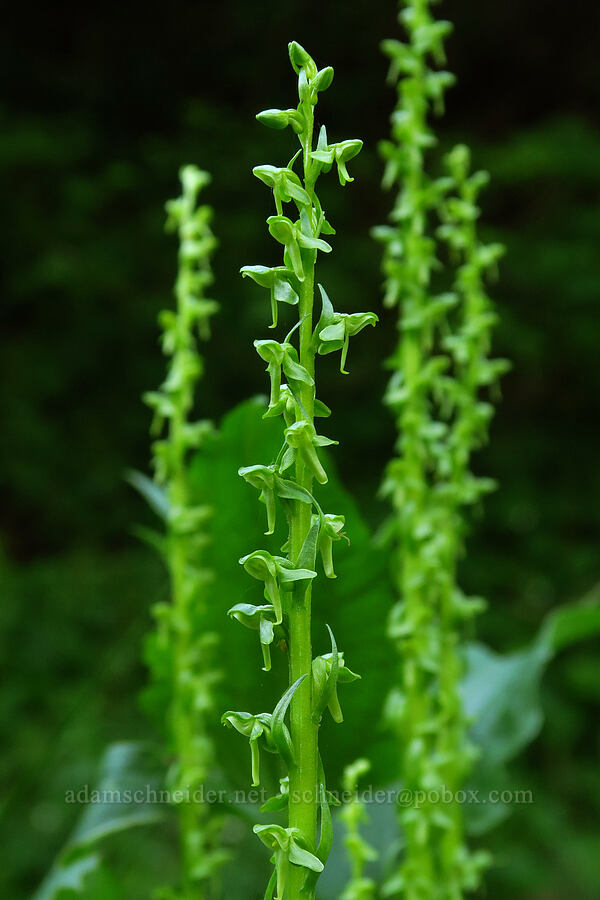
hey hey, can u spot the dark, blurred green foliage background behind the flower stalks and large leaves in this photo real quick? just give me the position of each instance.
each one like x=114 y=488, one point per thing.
x=100 y=106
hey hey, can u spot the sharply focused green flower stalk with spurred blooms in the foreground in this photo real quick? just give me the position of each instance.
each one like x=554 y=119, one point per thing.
x=298 y=855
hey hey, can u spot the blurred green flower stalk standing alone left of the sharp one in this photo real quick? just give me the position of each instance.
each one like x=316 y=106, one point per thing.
x=182 y=649
